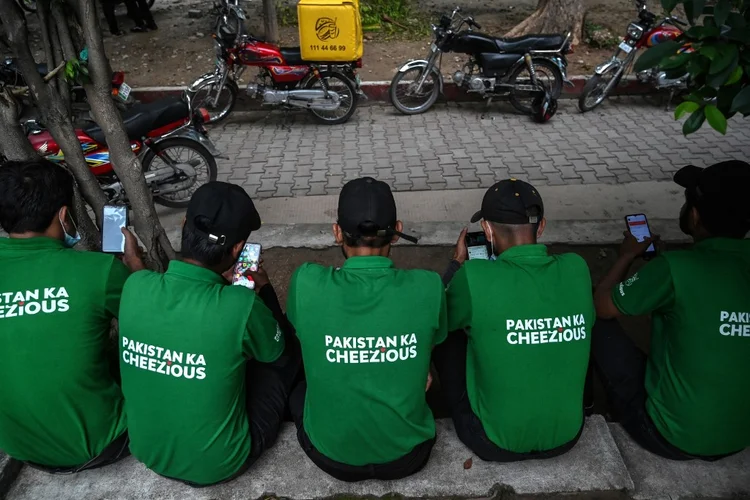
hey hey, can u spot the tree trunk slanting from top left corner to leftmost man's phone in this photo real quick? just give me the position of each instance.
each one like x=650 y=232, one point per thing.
x=51 y=107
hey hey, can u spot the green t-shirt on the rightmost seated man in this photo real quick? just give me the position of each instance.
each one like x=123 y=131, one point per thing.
x=698 y=372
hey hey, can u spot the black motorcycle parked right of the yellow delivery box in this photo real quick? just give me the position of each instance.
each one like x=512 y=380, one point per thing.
x=523 y=68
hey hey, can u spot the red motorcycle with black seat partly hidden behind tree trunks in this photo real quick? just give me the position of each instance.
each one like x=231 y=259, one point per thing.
x=169 y=138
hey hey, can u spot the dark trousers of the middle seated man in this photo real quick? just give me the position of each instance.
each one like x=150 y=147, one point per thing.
x=409 y=464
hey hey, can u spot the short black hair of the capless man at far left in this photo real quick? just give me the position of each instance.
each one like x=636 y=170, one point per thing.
x=31 y=193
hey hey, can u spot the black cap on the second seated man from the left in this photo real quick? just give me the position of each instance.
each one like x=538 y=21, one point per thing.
x=229 y=212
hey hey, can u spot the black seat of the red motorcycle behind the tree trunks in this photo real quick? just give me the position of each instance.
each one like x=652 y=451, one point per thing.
x=141 y=119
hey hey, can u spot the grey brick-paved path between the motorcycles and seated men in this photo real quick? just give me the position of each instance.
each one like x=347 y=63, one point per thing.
x=454 y=147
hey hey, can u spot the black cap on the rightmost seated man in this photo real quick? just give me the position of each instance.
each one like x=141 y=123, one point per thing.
x=718 y=191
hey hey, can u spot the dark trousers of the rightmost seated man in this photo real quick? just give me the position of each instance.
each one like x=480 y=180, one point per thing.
x=621 y=366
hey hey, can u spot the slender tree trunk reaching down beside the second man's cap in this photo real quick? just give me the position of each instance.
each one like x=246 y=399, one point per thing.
x=128 y=168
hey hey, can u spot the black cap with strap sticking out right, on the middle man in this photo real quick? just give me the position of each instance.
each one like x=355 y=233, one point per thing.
x=367 y=208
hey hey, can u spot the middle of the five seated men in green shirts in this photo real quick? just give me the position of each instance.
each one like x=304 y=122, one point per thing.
x=367 y=331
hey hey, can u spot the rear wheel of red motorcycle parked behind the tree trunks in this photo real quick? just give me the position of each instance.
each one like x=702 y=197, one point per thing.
x=180 y=149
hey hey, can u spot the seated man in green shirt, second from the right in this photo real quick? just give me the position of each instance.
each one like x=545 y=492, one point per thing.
x=515 y=379
